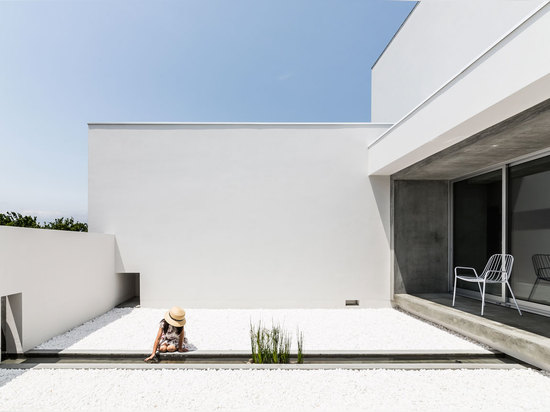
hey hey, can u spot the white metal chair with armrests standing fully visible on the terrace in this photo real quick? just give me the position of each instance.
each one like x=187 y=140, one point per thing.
x=497 y=270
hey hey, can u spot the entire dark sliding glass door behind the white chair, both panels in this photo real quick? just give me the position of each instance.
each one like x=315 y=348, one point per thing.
x=478 y=226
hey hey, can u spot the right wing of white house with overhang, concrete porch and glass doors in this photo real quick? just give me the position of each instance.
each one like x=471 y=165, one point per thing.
x=467 y=158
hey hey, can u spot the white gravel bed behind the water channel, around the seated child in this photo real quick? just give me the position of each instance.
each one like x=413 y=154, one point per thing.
x=228 y=329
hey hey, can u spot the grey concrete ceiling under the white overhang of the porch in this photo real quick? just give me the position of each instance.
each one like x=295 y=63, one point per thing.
x=520 y=135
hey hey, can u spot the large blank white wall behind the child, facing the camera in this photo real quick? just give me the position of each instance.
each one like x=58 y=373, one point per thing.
x=243 y=215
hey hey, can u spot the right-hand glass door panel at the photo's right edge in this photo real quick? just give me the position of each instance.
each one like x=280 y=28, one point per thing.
x=529 y=229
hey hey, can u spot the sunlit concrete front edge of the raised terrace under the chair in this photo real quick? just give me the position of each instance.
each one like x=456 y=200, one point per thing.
x=525 y=346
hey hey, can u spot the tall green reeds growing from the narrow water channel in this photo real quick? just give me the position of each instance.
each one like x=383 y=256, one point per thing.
x=270 y=345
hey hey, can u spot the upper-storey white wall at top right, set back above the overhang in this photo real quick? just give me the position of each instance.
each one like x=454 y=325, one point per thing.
x=437 y=41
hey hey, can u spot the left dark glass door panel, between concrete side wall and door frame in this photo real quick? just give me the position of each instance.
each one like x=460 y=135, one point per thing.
x=477 y=224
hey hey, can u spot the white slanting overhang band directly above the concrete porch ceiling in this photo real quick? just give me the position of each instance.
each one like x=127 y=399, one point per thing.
x=513 y=76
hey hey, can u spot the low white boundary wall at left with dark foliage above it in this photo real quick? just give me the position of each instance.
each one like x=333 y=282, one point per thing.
x=65 y=278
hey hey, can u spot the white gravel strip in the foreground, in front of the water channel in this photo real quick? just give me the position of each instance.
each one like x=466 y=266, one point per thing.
x=281 y=390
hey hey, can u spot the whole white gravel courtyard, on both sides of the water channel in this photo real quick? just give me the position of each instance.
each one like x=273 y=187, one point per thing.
x=270 y=390
